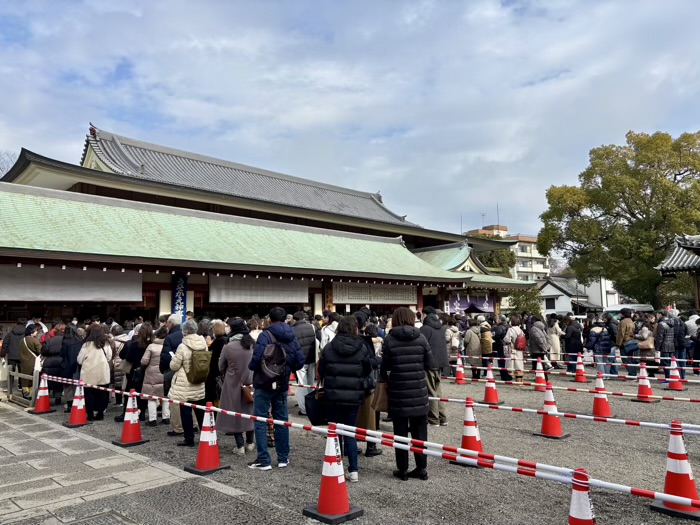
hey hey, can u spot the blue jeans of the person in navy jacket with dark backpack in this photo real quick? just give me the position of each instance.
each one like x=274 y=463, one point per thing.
x=263 y=400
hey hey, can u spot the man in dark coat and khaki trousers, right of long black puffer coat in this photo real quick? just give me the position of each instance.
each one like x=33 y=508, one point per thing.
x=434 y=332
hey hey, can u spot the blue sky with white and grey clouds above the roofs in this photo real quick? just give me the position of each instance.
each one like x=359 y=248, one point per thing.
x=449 y=108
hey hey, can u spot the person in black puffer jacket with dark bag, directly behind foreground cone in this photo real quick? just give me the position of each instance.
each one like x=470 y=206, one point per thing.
x=344 y=366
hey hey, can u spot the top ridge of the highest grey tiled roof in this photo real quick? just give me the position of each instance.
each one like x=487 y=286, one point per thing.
x=107 y=135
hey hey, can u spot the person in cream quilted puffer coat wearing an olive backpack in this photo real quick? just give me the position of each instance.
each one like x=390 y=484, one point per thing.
x=181 y=389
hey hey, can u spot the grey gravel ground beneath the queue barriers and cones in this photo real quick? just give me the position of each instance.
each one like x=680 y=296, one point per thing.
x=614 y=453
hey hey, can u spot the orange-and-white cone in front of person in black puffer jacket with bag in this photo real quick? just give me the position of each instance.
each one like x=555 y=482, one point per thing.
x=333 y=502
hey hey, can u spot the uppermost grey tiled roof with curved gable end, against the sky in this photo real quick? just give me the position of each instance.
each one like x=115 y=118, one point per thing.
x=141 y=160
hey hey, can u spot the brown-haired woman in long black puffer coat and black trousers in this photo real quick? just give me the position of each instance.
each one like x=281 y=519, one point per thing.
x=406 y=357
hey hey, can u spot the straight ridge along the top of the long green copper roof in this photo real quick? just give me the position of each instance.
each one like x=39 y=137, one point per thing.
x=172 y=210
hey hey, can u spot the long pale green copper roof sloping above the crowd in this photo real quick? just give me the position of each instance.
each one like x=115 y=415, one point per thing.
x=41 y=220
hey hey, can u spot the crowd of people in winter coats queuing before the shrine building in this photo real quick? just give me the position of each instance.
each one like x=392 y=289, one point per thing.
x=244 y=366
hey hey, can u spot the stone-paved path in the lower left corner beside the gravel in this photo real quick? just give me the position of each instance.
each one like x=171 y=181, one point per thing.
x=51 y=475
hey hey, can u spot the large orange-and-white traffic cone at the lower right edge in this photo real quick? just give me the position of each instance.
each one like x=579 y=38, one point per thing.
x=679 y=478
